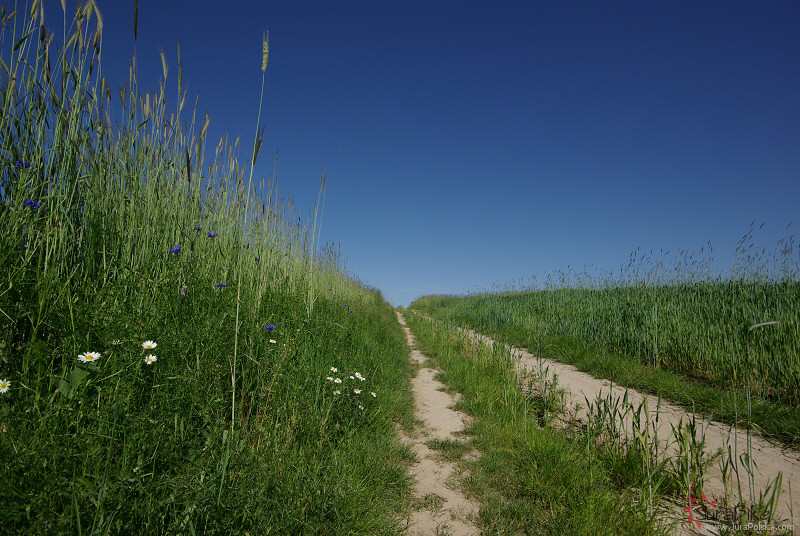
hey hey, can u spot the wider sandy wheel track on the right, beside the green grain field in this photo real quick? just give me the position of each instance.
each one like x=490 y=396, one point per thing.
x=769 y=459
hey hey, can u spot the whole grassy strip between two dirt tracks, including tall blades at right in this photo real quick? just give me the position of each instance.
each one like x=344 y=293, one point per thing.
x=541 y=470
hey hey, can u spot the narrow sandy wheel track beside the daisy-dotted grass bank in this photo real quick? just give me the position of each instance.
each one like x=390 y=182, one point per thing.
x=444 y=510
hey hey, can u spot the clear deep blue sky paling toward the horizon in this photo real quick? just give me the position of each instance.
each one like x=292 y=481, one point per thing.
x=469 y=144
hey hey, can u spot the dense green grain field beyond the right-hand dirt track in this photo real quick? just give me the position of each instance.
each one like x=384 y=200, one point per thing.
x=725 y=346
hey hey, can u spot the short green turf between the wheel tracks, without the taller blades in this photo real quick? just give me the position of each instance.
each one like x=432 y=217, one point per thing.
x=529 y=479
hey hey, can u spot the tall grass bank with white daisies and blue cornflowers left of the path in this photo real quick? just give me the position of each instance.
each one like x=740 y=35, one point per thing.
x=167 y=326
